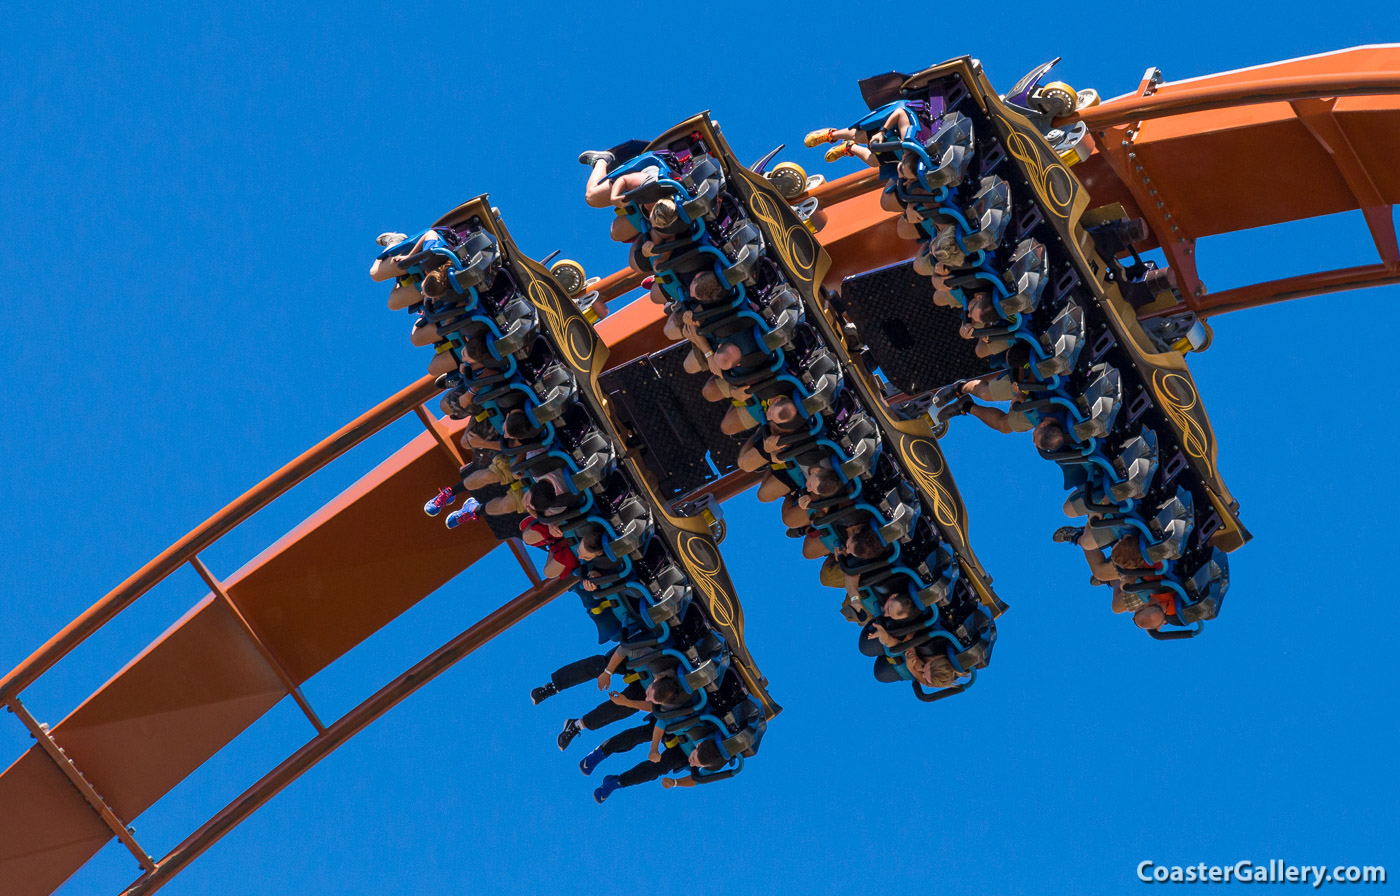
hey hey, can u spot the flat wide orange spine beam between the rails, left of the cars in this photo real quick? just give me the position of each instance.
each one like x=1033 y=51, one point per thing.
x=324 y=589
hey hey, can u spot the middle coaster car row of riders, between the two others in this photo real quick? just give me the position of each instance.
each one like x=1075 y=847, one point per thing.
x=737 y=269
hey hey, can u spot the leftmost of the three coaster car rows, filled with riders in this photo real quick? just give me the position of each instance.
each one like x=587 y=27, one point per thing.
x=519 y=358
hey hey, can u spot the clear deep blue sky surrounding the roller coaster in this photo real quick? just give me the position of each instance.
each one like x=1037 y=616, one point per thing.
x=188 y=202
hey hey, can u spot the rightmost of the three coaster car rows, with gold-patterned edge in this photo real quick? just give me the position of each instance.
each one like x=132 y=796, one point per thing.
x=999 y=218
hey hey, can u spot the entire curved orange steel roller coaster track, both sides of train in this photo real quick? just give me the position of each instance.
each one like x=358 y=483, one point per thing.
x=1200 y=157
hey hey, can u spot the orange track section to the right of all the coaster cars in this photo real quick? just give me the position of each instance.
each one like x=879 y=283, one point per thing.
x=1251 y=149
